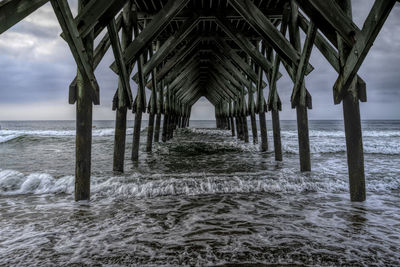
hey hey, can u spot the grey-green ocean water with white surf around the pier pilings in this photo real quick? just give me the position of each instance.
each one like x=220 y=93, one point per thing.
x=203 y=198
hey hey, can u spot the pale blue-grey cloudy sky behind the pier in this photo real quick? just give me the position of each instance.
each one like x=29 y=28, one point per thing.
x=37 y=68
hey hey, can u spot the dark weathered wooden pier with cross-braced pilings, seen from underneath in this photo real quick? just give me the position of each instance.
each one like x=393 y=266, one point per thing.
x=230 y=52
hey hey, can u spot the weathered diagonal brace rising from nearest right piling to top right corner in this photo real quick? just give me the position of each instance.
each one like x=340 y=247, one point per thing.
x=364 y=41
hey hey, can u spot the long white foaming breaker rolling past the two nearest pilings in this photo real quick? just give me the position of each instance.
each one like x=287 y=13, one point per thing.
x=189 y=184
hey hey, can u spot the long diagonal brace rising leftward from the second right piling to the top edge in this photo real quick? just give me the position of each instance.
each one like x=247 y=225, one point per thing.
x=268 y=31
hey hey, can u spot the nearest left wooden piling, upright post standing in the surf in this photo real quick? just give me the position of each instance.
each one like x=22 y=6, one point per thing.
x=84 y=114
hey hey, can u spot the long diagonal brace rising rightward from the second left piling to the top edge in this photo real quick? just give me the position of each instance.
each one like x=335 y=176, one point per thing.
x=159 y=22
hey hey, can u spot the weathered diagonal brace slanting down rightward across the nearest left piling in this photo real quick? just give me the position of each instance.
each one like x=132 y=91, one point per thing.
x=64 y=16
